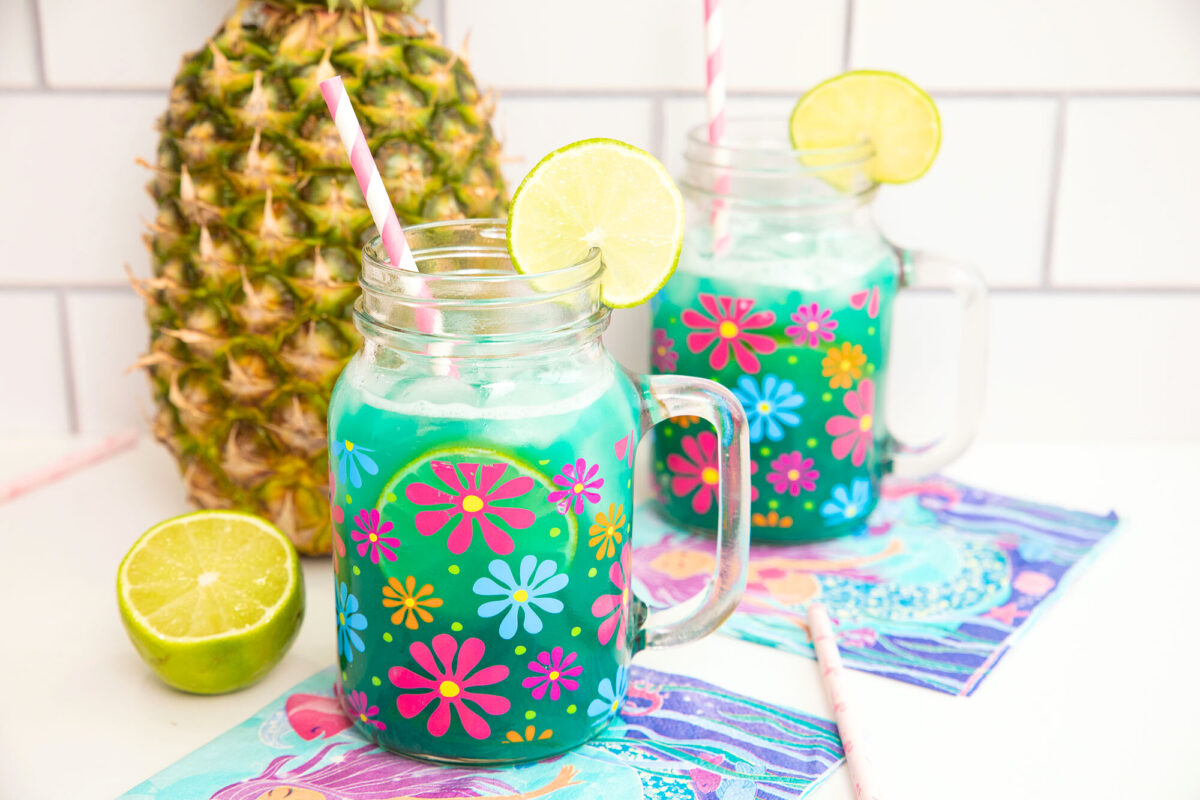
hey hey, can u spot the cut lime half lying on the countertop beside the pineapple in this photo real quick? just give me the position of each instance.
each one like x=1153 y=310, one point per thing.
x=212 y=600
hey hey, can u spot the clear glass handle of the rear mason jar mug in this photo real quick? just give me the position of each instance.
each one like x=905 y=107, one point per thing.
x=929 y=270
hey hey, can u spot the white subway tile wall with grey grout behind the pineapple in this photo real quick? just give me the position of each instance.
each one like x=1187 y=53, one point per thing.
x=1069 y=176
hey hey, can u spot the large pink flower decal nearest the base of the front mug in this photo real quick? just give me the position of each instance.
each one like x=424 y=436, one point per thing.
x=451 y=687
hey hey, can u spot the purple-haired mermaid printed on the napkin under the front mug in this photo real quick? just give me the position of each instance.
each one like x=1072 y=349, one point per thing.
x=371 y=774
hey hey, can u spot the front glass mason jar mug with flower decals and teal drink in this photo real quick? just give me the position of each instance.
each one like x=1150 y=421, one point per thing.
x=482 y=450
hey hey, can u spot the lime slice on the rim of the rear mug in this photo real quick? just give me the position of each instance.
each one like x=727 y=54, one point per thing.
x=887 y=110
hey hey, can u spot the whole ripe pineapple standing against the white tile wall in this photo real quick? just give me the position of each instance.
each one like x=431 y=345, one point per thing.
x=256 y=240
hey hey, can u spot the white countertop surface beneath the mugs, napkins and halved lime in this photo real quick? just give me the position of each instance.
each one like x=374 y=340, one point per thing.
x=1100 y=700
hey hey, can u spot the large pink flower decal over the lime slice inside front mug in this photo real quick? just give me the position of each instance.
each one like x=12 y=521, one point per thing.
x=473 y=503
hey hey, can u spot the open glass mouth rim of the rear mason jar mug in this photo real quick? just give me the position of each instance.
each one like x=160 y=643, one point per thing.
x=764 y=146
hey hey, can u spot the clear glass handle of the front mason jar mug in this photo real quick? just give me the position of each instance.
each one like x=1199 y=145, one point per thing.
x=668 y=396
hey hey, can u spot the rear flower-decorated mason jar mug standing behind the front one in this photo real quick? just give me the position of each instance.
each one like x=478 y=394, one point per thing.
x=784 y=293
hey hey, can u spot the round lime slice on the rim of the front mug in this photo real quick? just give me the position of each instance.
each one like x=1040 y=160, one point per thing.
x=601 y=194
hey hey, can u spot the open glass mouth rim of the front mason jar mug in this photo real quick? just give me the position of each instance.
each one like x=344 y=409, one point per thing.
x=469 y=261
